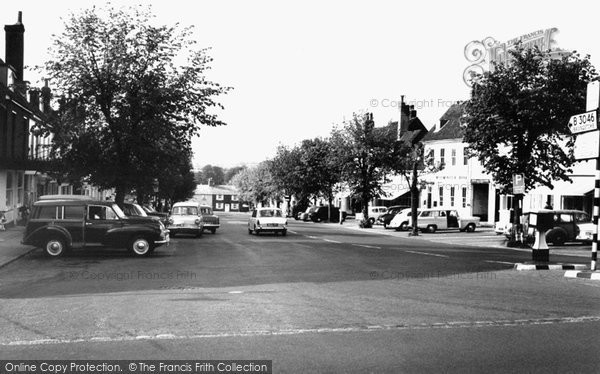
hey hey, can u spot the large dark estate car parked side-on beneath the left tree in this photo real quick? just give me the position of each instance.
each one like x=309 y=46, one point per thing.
x=58 y=224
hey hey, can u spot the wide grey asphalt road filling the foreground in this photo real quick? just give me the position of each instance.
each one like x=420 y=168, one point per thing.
x=325 y=298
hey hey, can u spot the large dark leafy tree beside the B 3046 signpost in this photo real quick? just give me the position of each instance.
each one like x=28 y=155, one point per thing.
x=516 y=119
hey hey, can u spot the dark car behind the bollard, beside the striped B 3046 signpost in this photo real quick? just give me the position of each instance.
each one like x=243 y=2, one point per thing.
x=568 y=226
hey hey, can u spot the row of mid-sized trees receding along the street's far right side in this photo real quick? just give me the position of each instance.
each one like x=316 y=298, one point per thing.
x=357 y=156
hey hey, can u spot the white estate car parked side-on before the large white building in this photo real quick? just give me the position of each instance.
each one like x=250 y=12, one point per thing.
x=431 y=220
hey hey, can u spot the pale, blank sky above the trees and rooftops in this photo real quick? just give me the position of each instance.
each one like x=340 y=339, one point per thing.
x=298 y=68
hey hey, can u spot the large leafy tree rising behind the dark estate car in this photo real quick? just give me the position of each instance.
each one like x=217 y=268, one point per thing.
x=127 y=104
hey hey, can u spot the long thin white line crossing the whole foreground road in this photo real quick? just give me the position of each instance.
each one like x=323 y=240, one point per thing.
x=321 y=330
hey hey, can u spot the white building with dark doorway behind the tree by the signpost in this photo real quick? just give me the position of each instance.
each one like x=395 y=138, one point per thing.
x=464 y=185
